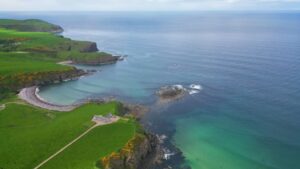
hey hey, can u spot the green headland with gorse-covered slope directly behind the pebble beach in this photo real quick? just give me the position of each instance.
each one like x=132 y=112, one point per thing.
x=19 y=70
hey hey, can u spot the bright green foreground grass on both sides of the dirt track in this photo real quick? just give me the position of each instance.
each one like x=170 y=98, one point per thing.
x=29 y=135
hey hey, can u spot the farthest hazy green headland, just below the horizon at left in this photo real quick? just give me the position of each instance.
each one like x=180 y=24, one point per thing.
x=30 y=25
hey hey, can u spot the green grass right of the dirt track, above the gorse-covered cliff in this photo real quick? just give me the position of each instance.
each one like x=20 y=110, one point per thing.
x=88 y=151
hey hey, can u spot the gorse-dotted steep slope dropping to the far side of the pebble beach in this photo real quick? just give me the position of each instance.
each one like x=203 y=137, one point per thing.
x=21 y=80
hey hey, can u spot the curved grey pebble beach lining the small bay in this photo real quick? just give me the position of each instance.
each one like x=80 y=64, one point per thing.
x=30 y=96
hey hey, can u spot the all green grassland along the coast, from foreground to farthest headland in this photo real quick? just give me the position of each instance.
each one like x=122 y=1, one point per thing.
x=29 y=135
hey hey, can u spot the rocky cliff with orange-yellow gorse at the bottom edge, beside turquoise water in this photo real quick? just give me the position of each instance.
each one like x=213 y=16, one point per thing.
x=141 y=152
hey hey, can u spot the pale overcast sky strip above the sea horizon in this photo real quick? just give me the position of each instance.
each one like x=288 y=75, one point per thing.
x=158 y=5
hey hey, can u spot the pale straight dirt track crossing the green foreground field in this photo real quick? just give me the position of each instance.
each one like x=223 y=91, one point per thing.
x=76 y=139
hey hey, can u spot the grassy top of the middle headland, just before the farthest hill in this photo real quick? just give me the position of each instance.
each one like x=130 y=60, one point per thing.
x=47 y=45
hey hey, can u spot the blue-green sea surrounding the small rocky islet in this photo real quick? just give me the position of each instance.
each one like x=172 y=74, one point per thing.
x=247 y=114
